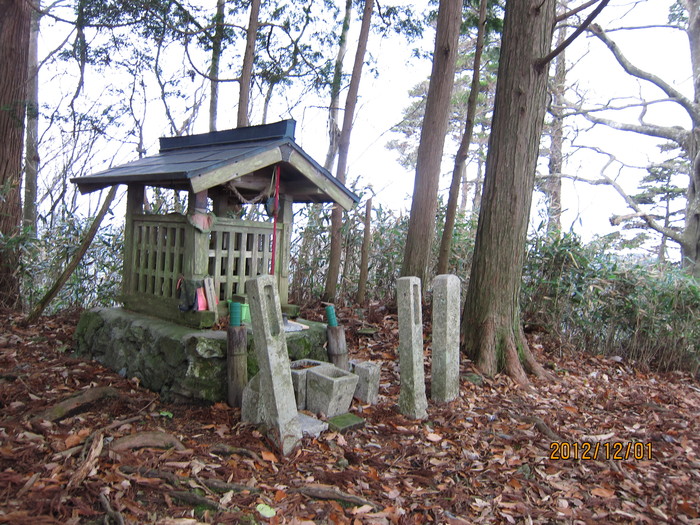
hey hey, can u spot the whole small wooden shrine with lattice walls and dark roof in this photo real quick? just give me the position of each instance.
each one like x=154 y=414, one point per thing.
x=222 y=171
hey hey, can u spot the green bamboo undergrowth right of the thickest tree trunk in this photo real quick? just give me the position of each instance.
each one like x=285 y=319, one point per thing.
x=604 y=303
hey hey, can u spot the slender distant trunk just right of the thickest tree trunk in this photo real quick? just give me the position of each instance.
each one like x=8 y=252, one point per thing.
x=552 y=186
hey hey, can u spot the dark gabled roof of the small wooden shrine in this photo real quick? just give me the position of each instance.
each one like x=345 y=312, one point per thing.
x=244 y=157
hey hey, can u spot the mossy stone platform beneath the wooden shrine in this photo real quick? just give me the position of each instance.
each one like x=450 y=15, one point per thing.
x=175 y=360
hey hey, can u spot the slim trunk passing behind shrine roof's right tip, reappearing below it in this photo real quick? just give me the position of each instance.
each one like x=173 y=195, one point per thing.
x=343 y=150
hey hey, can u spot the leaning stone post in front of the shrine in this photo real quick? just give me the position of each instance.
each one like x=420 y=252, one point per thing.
x=278 y=411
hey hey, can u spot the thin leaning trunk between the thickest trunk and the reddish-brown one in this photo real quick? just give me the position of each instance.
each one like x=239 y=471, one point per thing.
x=463 y=151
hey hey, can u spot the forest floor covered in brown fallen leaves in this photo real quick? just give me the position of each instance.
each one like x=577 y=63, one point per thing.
x=484 y=458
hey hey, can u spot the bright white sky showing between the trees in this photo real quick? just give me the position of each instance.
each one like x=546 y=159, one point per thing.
x=383 y=98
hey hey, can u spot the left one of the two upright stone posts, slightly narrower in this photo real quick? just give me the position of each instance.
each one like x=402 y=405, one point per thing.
x=412 y=400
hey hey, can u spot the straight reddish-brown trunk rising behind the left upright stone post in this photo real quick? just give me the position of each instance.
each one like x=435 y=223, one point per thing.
x=421 y=226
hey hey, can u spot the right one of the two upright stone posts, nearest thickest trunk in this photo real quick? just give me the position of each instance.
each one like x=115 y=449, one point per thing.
x=444 y=384
